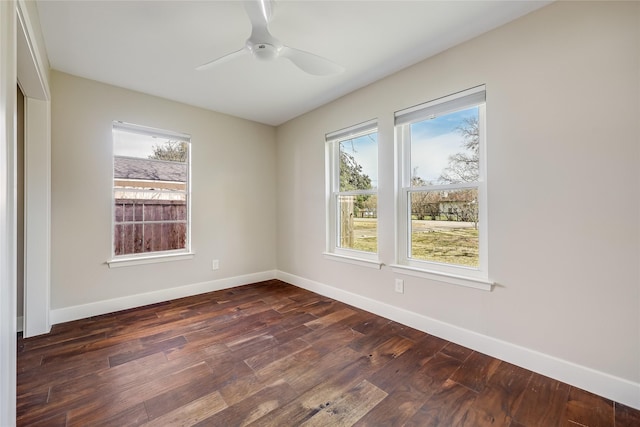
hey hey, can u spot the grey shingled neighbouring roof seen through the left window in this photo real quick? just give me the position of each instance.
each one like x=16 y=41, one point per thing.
x=148 y=169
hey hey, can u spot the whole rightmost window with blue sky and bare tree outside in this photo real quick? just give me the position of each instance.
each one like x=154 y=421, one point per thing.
x=442 y=217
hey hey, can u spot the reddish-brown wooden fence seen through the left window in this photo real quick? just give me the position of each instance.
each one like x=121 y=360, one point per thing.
x=149 y=226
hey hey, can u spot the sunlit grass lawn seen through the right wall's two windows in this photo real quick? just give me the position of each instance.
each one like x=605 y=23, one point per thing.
x=449 y=244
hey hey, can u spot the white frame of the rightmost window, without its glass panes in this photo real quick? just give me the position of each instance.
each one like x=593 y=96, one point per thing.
x=449 y=273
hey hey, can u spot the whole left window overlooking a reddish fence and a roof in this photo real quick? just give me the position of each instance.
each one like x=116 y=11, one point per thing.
x=150 y=192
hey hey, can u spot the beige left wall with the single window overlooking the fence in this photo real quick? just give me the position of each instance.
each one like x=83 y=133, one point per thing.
x=233 y=193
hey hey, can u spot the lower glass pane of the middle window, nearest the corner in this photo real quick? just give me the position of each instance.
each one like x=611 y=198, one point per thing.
x=358 y=223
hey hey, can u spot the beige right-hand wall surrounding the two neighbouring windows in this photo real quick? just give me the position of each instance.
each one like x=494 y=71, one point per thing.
x=564 y=183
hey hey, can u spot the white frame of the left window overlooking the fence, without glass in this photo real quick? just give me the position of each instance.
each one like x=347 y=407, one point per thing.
x=157 y=256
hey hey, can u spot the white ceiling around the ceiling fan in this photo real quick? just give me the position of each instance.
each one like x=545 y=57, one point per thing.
x=154 y=46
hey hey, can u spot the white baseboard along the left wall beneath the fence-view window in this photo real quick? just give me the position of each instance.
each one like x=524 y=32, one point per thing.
x=83 y=311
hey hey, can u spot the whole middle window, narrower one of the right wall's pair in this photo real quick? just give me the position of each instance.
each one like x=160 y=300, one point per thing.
x=352 y=197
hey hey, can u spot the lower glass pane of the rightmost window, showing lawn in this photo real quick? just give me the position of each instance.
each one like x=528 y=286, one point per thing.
x=444 y=226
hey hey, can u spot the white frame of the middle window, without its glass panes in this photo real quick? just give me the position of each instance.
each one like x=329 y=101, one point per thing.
x=332 y=163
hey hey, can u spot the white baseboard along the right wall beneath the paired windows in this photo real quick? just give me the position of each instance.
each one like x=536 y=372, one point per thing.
x=611 y=387
